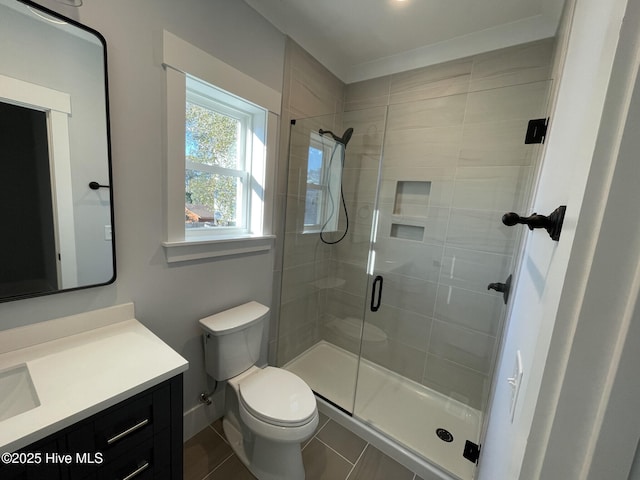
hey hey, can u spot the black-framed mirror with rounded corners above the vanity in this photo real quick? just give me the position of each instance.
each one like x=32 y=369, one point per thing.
x=55 y=165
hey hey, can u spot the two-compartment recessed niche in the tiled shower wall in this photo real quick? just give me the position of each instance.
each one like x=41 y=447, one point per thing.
x=411 y=200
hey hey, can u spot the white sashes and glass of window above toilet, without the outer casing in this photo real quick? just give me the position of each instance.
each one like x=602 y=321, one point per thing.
x=224 y=138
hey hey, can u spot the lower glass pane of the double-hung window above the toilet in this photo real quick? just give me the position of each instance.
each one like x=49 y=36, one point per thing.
x=212 y=200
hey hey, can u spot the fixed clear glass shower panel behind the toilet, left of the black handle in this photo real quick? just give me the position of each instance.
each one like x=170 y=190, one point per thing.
x=332 y=187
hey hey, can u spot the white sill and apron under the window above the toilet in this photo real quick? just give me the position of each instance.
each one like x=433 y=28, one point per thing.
x=188 y=250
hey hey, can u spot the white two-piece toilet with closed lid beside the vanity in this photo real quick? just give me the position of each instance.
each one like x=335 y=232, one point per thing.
x=269 y=412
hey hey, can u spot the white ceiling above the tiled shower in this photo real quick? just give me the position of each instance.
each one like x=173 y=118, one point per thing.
x=362 y=39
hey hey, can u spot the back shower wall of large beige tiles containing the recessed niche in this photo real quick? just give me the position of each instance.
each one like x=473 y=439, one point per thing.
x=454 y=162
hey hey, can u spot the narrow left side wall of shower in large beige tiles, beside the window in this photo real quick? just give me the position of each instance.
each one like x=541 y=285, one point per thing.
x=309 y=90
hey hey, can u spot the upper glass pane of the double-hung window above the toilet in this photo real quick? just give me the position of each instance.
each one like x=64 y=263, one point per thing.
x=212 y=138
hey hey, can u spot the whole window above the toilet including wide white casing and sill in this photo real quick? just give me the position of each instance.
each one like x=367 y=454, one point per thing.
x=220 y=156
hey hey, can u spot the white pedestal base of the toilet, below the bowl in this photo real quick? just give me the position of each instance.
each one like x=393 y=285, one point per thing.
x=269 y=460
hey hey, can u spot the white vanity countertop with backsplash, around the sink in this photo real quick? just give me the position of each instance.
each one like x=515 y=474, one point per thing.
x=78 y=371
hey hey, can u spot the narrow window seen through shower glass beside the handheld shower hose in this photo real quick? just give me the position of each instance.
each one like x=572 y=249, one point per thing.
x=324 y=176
